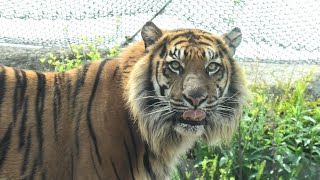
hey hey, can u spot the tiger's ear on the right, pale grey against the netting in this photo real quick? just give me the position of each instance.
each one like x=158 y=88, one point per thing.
x=233 y=39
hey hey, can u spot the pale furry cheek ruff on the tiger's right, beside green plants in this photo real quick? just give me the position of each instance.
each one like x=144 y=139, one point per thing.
x=222 y=127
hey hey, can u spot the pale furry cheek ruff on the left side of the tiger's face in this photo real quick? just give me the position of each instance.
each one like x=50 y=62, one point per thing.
x=143 y=103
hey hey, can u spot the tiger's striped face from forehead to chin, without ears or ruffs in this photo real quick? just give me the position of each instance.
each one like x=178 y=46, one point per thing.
x=192 y=79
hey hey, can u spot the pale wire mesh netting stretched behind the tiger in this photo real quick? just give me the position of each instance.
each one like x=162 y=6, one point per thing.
x=273 y=31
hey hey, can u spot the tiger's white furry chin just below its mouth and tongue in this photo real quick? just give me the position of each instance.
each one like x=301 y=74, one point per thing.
x=189 y=130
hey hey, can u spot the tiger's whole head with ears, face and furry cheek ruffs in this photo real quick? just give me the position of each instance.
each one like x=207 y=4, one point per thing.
x=187 y=86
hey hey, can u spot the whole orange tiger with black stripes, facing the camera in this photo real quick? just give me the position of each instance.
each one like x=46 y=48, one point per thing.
x=131 y=117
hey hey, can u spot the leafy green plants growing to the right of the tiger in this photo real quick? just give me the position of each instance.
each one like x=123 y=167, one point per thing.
x=278 y=138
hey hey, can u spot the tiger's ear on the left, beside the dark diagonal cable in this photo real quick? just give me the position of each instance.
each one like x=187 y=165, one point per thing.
x=150 y=33
